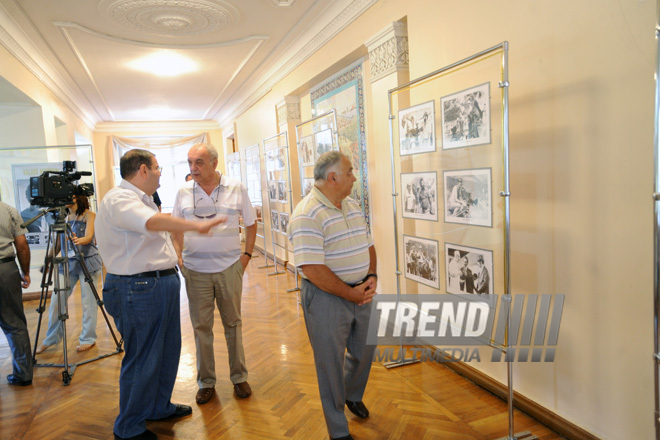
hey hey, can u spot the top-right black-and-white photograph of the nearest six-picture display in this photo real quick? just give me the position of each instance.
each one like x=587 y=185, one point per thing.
x=466 y=118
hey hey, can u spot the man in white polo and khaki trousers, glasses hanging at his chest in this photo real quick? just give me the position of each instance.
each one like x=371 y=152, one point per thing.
x=213 y=266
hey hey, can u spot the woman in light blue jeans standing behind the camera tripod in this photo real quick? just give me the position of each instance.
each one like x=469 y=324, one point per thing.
x=81 y=220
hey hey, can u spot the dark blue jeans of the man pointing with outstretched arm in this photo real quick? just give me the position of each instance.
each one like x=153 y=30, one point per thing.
x=146 y=313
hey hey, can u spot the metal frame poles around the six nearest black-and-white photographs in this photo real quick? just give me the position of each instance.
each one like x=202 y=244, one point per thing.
x=503 y=49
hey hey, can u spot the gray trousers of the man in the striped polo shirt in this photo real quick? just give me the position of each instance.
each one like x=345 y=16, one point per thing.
x=337 y=330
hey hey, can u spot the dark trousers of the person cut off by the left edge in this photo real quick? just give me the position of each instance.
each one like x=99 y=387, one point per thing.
x=13 y=322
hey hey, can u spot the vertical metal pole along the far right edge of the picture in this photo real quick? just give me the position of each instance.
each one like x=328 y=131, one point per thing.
x=656 y=232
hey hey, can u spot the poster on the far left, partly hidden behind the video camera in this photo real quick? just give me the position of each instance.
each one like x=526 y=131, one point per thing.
x=37 y=235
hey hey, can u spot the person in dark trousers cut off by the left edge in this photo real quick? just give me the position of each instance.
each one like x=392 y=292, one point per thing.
x=12 y=316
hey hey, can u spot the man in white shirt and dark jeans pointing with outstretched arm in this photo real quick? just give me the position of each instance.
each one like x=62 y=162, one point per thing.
x=141 y=293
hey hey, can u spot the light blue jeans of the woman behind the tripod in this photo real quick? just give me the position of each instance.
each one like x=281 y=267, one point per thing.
x=90 y=311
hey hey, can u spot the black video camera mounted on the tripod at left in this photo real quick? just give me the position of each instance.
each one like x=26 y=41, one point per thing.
x=56 y=188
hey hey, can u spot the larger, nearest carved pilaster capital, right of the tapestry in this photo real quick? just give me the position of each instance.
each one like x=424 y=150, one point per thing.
x=388 y=51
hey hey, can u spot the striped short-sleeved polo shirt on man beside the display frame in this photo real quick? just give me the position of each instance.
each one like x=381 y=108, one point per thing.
x=323 y=234
